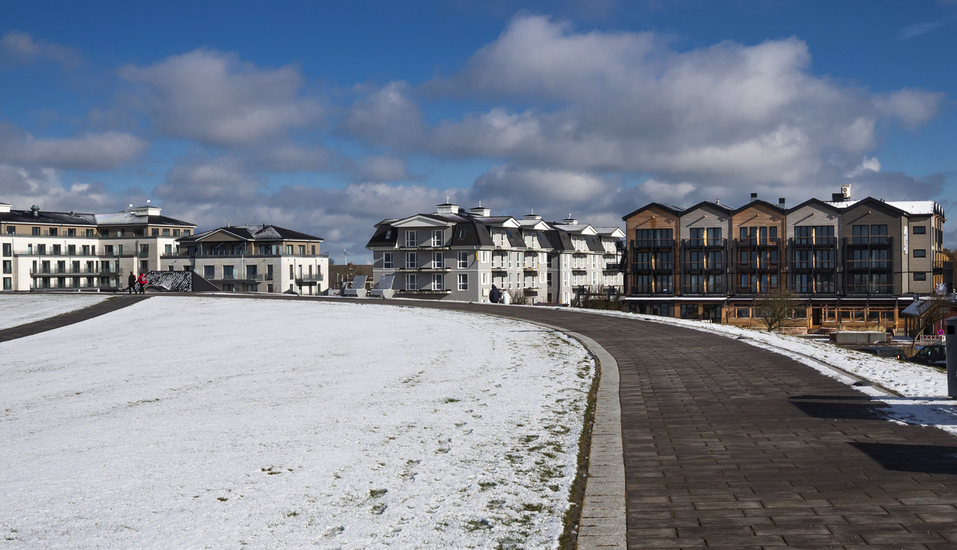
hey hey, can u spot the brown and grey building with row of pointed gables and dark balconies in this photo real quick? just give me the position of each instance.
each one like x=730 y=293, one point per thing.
x=850 y=262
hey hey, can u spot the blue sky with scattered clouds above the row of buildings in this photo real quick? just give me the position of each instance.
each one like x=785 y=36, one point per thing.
x=328 y=117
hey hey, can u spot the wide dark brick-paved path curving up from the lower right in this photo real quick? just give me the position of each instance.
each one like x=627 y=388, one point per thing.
x=729 y=446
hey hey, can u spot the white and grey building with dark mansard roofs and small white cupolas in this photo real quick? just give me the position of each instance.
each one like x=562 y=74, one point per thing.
x=456 y=254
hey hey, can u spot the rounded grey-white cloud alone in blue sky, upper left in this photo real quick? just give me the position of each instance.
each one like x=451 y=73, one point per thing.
x=216 y=99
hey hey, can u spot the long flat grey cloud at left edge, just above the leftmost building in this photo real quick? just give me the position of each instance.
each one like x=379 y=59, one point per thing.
x=90 y=151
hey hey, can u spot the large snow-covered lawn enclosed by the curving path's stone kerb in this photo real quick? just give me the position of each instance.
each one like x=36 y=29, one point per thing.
x=185 y=422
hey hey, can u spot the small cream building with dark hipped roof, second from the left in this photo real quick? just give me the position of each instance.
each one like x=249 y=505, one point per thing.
x=254 y=258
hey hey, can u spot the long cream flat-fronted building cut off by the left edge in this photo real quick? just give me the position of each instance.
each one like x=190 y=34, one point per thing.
x=80 y=251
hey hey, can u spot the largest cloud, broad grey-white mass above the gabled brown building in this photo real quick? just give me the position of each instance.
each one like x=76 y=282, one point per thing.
x=728 y=116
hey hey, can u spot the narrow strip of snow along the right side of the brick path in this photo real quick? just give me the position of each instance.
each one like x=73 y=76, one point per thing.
x=923 y=390
